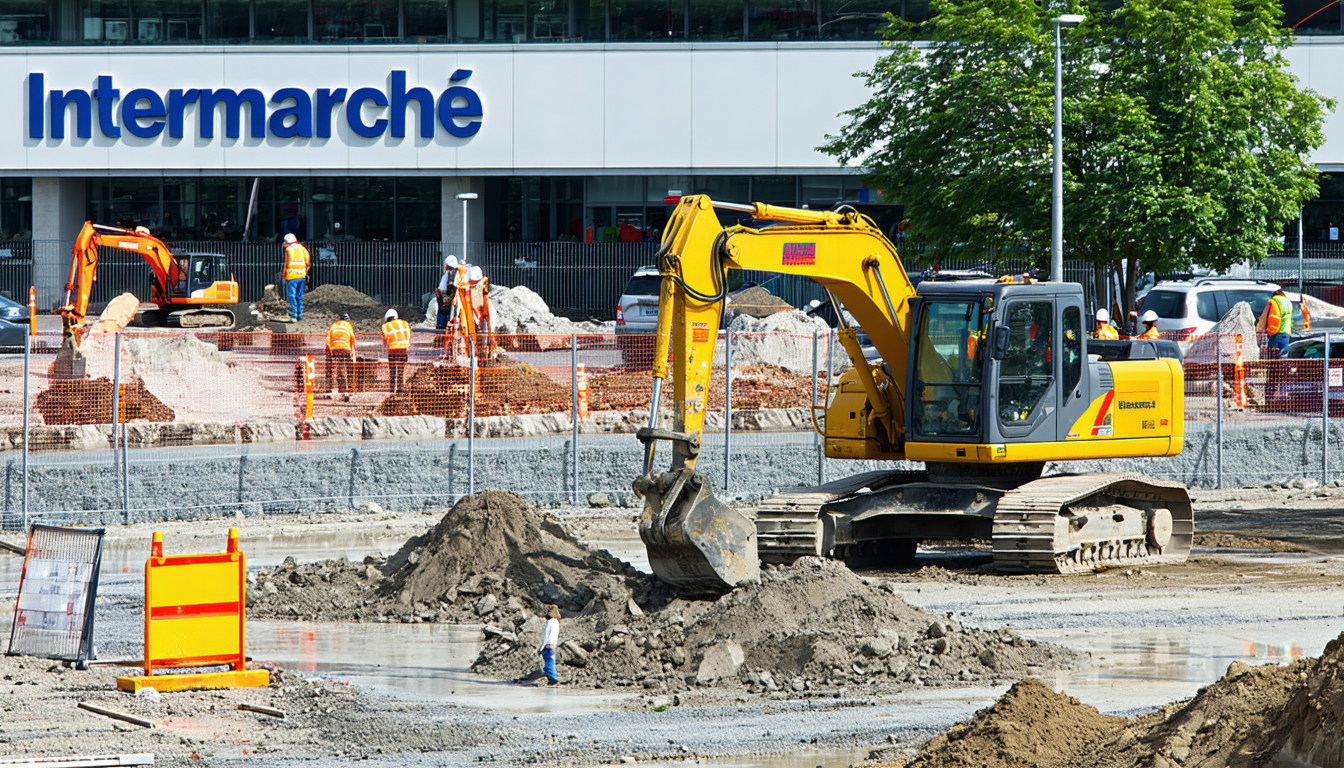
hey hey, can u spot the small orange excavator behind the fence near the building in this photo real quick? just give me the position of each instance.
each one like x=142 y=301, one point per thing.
x=189 y=290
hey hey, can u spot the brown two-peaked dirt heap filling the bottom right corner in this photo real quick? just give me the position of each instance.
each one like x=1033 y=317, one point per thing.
x=1252 y=718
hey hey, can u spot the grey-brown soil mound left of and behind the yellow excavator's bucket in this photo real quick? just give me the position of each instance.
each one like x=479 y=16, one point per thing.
x=491 y=558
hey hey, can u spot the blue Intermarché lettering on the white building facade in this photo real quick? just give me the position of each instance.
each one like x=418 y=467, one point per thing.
x=295 y=114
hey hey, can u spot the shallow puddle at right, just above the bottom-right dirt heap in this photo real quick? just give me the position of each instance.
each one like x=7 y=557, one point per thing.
x=1144 y=668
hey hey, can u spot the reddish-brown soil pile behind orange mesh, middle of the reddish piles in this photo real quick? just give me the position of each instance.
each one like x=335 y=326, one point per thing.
x=505 y=388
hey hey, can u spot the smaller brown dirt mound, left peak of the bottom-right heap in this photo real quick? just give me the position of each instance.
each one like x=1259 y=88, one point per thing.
x=1032 y=726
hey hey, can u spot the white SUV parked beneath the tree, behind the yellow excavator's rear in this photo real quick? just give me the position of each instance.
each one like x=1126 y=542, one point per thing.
x=1189 y=309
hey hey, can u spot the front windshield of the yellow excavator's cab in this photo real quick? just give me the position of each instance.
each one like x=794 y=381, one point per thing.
x=950 y=368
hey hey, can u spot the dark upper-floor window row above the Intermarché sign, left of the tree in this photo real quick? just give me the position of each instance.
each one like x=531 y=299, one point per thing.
x=157 y=22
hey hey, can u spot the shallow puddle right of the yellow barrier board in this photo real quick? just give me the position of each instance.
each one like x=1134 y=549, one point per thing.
x=411 y=661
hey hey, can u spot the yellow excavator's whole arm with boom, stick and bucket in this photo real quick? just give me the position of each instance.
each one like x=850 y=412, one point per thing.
x=696 y=543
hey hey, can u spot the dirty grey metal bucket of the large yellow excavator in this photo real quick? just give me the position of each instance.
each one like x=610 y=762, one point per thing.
x=697 y=544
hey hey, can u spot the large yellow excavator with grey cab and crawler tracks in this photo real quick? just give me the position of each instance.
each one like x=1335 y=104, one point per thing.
x=983 y=381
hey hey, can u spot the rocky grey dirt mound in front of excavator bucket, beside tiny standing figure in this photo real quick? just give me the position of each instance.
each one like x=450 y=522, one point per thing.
x=814 y=625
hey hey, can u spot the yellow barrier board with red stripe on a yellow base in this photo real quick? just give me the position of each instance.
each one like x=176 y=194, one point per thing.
x=196 y=617
